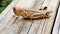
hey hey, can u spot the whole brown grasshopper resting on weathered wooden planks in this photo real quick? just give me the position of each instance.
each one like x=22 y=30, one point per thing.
x=31 y=13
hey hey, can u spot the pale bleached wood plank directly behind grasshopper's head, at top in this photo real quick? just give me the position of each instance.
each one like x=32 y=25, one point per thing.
x=26 y=3
